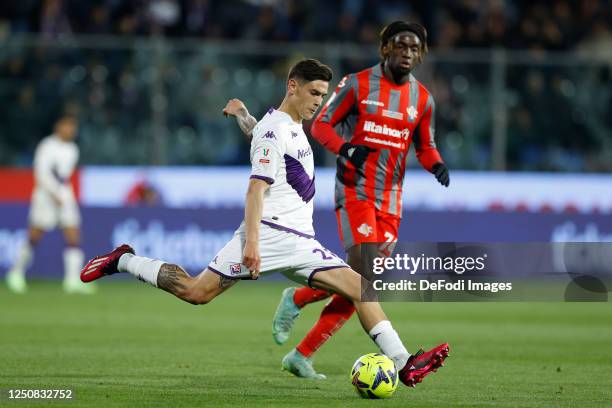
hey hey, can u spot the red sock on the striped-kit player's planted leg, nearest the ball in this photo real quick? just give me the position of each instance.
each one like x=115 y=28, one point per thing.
x=337 y=311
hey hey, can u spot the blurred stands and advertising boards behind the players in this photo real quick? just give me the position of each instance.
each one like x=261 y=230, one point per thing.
x=524 y=115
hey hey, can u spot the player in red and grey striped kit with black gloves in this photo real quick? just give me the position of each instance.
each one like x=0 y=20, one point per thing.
x=380 y=111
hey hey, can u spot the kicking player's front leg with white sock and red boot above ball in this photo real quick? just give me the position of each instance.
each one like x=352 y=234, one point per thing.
x=412 y=368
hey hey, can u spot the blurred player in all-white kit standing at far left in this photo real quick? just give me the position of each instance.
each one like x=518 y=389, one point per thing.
x=53 y=204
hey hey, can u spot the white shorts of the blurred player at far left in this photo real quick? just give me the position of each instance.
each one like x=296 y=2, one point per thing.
x=46 y=214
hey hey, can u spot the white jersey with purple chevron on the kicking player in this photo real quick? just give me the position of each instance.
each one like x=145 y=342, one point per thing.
x=282 y=156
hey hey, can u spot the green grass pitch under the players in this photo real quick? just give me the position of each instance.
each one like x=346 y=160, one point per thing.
x=131 y=345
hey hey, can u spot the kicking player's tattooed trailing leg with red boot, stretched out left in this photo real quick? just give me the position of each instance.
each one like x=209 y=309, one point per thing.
x=172 y=278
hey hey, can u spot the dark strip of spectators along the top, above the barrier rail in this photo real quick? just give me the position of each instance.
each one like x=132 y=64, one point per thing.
x=524 y=24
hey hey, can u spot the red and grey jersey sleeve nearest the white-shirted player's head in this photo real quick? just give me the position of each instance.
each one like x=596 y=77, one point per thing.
x=335 y=110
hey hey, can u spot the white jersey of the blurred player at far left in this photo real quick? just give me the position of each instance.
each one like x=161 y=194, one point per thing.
x=54 y=162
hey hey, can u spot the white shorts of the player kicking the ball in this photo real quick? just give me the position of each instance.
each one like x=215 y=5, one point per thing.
x=295 y=256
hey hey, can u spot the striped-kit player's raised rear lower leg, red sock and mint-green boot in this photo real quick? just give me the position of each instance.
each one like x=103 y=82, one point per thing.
x=292 y=300
